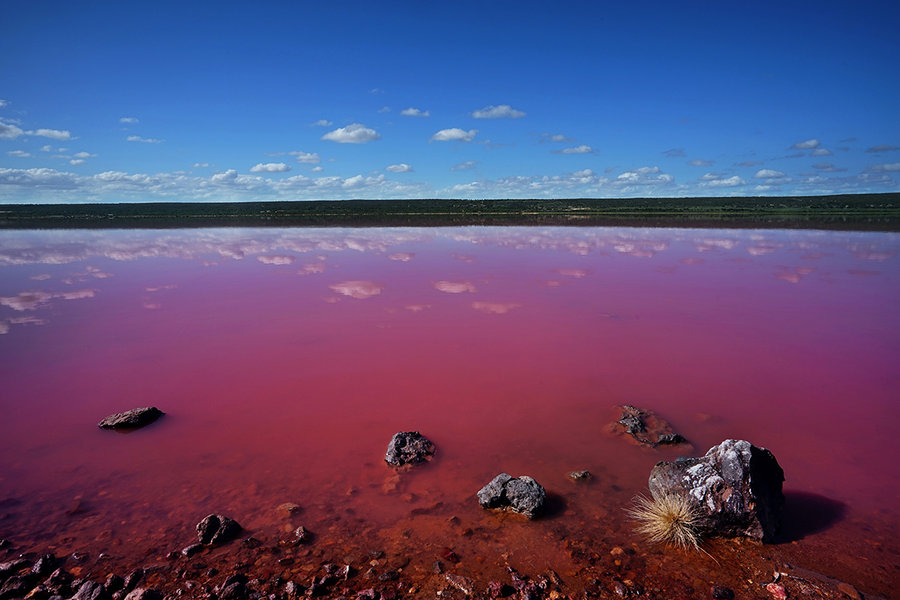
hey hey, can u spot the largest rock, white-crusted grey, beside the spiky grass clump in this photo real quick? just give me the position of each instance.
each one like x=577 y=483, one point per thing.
x=735 y=488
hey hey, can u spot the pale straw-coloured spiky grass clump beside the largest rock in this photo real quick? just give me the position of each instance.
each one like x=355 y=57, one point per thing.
x=669 y=519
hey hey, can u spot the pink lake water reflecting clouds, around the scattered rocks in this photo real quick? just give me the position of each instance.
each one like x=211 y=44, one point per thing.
x=286 y=359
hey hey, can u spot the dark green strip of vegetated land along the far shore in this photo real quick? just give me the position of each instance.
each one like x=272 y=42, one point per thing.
x=858 y=211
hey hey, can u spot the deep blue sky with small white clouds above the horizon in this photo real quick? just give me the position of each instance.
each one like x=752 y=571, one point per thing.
x=165 y=101
